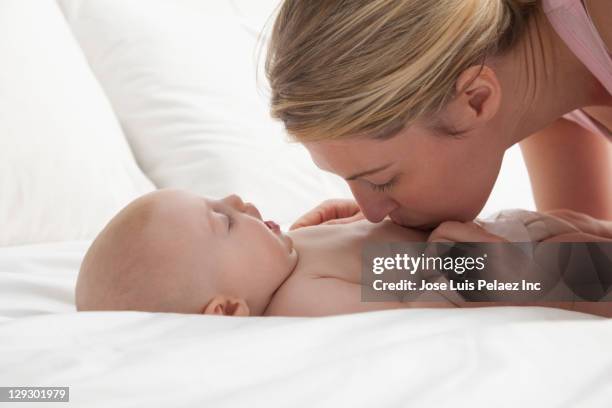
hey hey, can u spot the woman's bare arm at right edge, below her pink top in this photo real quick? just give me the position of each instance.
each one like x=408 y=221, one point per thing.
x=571 y=168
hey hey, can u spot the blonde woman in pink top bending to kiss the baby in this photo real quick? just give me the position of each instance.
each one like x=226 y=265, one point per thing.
x=414 y=103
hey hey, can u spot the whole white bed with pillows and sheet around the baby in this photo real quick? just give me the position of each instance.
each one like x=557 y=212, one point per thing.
x=105 y=100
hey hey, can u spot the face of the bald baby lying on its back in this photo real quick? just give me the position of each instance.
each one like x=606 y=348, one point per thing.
x=251 y=258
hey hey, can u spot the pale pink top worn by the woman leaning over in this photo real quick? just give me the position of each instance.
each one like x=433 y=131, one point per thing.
x=572 y=22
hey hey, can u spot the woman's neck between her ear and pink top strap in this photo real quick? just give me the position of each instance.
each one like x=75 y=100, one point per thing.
x=542 y=80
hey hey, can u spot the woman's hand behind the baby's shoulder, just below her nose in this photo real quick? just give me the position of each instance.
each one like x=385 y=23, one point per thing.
x=337 y=211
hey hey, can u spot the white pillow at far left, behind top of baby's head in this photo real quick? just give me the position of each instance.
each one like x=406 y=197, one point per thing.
x=65 y=167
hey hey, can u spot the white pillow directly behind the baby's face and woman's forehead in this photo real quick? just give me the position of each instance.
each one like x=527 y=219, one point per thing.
x=181 y=75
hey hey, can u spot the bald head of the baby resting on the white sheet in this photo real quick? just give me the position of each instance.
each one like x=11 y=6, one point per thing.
x=173 y=251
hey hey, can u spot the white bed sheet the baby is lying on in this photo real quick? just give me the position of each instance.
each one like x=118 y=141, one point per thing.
x=503 y=357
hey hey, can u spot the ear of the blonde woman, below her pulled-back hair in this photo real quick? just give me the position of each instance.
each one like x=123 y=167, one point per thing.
x=477 y=100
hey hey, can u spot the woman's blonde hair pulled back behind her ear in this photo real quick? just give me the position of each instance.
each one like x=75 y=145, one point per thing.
x=370 y=67
